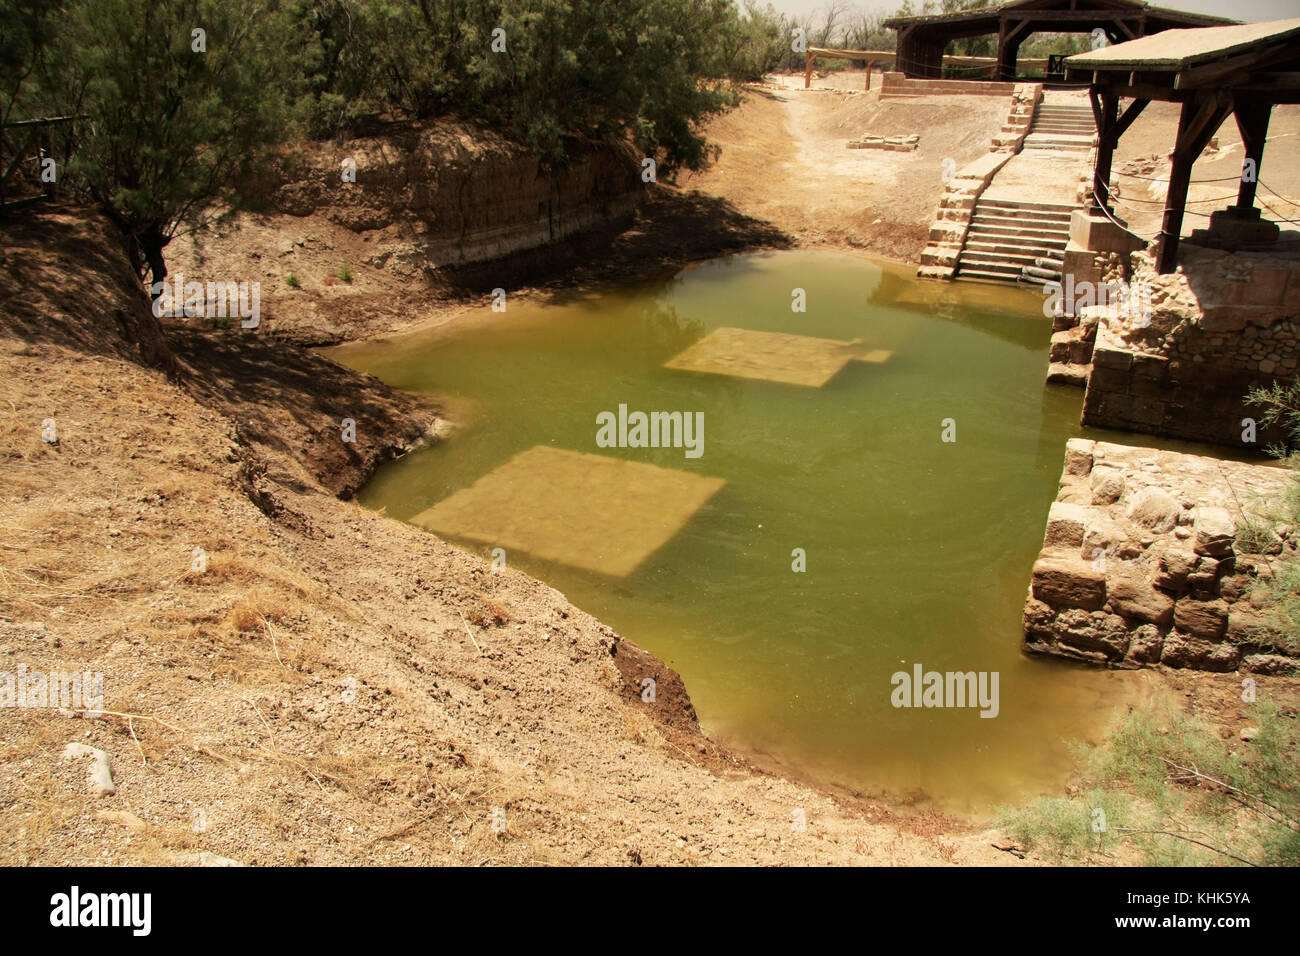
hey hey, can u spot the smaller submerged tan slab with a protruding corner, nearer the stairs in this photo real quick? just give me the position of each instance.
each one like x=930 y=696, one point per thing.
x=774 y=357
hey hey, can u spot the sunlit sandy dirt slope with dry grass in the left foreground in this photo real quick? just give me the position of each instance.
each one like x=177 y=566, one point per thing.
x=335 y=687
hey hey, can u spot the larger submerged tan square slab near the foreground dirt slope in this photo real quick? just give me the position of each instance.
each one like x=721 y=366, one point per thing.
x=590 y=512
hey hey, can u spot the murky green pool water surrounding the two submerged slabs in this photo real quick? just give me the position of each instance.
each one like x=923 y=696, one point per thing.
x=918 y=551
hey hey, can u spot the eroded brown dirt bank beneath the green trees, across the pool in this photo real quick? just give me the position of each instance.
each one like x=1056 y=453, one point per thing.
x=440 y=217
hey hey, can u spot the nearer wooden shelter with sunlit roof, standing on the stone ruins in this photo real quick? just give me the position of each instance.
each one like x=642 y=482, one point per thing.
x=1214 y=72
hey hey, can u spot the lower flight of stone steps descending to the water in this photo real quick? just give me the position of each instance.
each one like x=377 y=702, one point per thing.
x=1011 y=241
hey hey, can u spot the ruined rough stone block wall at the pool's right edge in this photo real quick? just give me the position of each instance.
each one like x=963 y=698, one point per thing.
x=1155 y=557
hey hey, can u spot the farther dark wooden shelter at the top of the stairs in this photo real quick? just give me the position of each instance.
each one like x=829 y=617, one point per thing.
x=924 y=40
